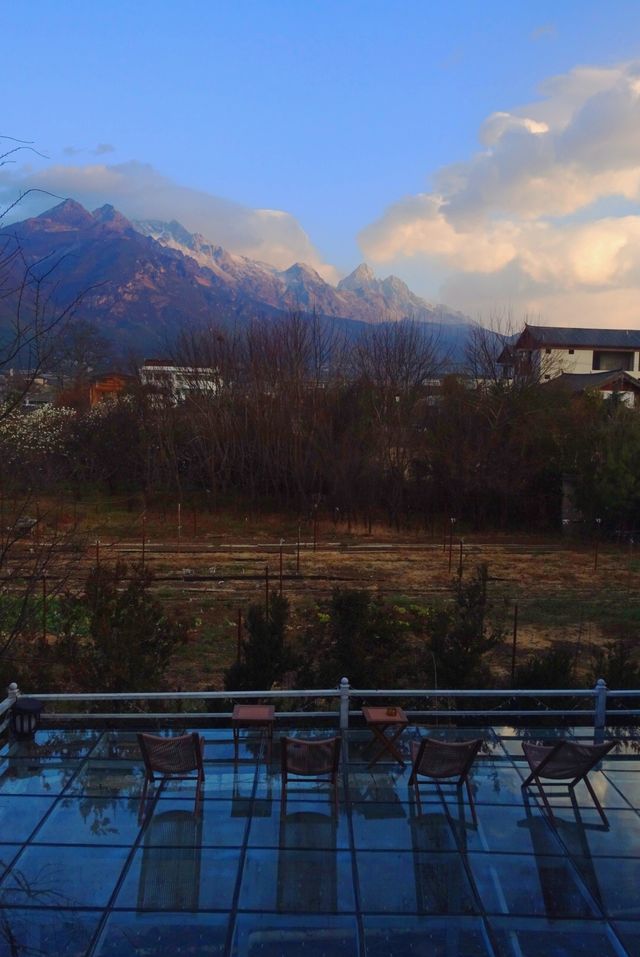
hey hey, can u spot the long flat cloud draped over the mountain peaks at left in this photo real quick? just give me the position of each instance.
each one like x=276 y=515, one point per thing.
x=140 y=192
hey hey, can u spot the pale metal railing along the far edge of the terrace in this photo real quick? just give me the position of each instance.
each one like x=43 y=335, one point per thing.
x=597 y=711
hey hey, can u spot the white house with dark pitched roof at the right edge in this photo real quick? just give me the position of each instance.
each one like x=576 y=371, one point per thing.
x=549 y=351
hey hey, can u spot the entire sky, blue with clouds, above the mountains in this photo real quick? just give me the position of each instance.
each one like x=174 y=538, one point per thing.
x=345 y=119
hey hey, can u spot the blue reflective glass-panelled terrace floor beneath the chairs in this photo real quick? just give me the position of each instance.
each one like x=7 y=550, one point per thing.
x=79 y=875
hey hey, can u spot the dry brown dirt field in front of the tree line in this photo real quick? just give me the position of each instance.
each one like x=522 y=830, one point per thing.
x=214 y=565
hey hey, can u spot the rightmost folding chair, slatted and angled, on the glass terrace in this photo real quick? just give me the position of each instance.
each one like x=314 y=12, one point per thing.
x=565 y=762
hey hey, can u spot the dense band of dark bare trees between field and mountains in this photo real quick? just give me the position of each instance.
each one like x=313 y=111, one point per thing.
x=300 y=420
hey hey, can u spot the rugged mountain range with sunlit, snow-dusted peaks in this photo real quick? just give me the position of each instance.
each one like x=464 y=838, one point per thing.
x=142 y=282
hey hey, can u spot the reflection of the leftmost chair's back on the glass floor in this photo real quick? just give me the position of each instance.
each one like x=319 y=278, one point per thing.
x=170 y=869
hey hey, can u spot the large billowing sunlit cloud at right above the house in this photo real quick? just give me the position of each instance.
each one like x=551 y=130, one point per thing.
x=527 y=222
